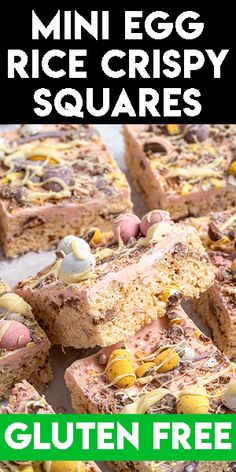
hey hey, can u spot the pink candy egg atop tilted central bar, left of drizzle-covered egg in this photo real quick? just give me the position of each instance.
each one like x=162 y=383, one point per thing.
x=125 y=227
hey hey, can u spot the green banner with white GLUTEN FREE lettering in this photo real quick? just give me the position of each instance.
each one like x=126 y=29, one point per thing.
x=118 y=437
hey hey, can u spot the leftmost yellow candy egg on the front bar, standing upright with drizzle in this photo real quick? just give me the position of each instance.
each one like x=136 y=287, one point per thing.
x=120 y=368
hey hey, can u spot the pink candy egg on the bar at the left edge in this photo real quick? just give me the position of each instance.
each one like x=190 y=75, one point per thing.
x=13 y=335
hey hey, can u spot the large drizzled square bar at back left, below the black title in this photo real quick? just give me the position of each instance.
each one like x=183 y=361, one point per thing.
x=55 y=180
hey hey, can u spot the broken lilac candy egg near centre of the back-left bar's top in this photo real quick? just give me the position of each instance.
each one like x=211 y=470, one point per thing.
x=63 y=173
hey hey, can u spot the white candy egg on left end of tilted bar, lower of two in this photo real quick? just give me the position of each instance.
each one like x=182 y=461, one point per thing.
x=73 y=270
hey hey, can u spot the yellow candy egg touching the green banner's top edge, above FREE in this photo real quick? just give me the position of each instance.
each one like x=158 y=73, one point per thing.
x=193 y=400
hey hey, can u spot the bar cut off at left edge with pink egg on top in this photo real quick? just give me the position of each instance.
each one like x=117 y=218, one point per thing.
x=24 y=347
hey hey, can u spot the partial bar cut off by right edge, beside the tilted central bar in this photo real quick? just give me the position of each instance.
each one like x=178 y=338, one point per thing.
x=217 y=306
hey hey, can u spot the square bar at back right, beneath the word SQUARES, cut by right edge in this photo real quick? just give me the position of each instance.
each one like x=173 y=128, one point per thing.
x=188 y=170
